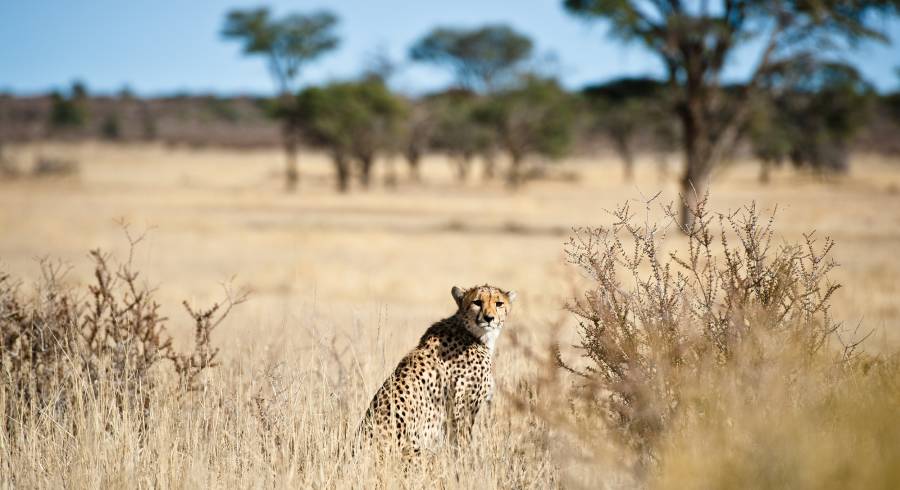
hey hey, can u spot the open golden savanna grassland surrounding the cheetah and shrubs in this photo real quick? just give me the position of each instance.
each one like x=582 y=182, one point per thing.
x=343 y=285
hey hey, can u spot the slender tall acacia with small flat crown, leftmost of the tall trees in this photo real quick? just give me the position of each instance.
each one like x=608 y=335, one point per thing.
x=288 y=44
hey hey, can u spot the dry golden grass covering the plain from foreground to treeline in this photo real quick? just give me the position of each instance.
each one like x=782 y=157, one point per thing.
x=358 y=279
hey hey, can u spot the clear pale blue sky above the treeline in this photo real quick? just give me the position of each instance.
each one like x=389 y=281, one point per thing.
x=164 y=46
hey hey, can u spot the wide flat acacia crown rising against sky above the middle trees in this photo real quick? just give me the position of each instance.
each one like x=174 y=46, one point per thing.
x=481 y=59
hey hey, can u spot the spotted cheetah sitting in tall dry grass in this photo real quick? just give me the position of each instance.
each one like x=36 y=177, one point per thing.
x=436 y=391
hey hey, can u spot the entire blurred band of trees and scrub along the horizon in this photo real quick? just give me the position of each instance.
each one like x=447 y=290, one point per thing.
x=803 y=104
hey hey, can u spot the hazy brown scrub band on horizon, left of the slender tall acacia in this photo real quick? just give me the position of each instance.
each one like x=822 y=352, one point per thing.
x=193 y=120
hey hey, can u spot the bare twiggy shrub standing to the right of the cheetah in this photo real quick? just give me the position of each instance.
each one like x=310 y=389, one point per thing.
x=656 y=321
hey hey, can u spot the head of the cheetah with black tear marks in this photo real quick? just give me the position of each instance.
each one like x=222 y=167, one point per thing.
x=484 y=310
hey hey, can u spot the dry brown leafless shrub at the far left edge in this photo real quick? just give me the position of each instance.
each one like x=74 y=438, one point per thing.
x=62 y=348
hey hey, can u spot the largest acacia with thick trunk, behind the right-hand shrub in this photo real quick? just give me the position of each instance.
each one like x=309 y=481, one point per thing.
x=695 y=40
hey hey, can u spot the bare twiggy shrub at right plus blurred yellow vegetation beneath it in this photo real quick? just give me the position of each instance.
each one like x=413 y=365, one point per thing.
x=698 y=353
